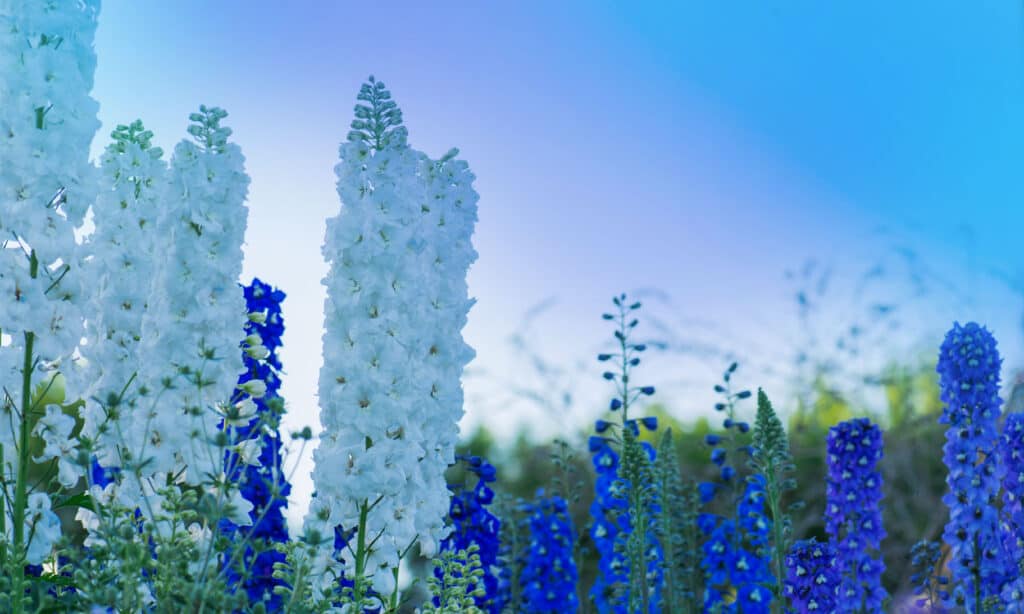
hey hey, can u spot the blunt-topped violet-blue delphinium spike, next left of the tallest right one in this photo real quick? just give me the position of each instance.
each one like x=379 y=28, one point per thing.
x=854 y=513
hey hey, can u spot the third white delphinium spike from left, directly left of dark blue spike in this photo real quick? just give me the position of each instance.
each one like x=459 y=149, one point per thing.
x=197 y=314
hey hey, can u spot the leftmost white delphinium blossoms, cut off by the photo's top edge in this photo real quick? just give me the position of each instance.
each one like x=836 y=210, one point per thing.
x=48 y=122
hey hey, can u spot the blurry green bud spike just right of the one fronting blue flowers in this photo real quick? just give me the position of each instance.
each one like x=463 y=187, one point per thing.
x=677 y=531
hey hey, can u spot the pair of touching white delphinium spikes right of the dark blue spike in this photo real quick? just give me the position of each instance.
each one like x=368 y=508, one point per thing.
x=390 y=388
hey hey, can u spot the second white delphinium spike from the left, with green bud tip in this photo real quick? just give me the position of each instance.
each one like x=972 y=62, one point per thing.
x=123 y=252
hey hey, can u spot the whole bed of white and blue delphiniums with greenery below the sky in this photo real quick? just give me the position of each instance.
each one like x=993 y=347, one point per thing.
x=144 y=458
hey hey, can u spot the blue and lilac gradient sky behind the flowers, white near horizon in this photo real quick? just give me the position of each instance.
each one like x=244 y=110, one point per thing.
x=688 y=153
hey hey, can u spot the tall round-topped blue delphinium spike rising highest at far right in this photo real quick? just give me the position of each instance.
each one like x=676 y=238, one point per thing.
x=969 y=379
